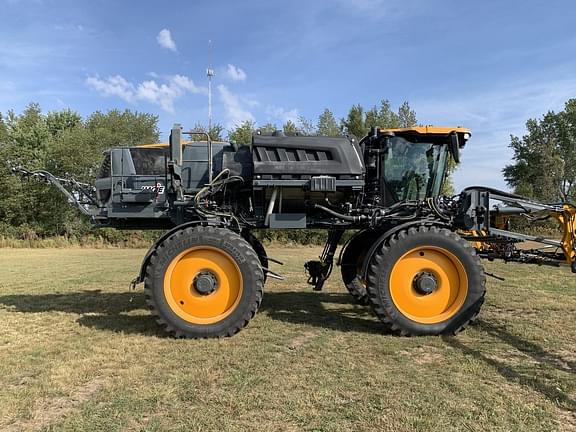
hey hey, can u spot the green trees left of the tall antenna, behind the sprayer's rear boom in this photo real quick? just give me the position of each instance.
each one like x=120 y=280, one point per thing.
x=67 y=145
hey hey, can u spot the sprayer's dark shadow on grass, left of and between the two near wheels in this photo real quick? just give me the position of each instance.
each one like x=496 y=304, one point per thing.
x=109 y=311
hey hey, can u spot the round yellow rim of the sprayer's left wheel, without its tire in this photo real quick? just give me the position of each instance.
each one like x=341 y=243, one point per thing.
x=181 y=288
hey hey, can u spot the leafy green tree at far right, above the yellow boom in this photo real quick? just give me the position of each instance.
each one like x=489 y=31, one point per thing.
x=544 y=161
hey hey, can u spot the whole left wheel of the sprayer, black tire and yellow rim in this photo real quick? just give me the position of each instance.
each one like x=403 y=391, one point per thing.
x=204 y=282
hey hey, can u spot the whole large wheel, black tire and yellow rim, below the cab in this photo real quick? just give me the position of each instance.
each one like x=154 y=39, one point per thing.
x=465 y=296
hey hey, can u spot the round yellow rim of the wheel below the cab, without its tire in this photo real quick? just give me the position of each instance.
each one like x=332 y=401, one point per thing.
x=450 y=285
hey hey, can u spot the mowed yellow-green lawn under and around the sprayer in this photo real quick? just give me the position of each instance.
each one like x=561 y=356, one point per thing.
x=79 y=351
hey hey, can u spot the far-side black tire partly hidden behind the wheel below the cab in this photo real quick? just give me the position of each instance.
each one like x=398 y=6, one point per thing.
x=351 y=263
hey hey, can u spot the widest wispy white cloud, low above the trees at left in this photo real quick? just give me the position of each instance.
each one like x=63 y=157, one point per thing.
x=163 y=94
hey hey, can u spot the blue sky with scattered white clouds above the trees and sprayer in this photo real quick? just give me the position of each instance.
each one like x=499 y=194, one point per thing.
x=486 y=65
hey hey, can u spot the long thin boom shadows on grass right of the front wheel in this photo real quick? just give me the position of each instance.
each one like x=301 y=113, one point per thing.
x=527 y=374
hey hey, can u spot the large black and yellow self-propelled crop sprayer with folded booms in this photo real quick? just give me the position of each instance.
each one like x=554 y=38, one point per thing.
x=414 y=256
